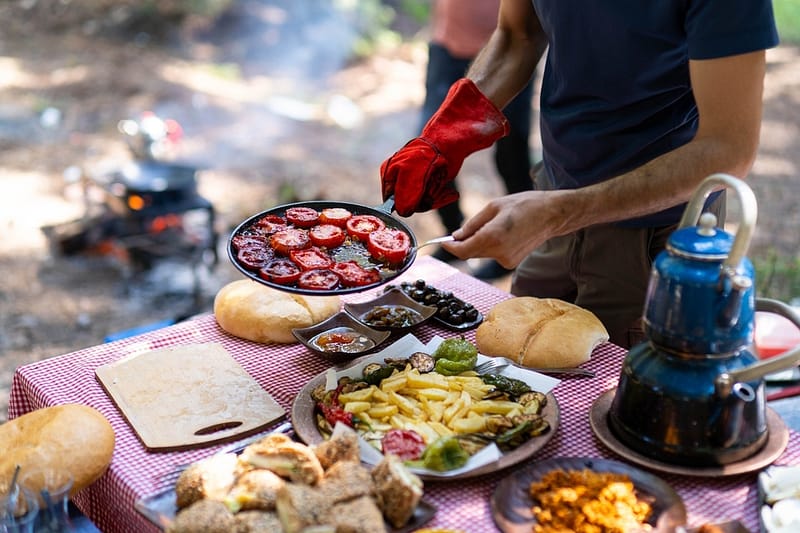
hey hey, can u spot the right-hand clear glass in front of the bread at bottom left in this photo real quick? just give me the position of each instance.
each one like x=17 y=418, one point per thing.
x=50 y=489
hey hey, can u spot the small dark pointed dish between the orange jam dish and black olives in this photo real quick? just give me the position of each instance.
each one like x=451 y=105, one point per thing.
x=393 y=302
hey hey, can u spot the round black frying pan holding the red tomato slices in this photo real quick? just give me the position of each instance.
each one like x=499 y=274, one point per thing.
x=383 y=212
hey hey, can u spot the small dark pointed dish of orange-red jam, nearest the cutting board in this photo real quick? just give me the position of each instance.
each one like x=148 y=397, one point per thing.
x=366 y=339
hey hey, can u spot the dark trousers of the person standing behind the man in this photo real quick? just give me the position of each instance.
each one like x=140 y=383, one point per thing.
x=511 y=153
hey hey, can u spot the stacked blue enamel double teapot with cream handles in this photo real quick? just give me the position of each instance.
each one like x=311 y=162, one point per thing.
x=693 y=392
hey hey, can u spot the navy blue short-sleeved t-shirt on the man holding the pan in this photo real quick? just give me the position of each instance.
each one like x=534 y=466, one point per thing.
x=616 y=91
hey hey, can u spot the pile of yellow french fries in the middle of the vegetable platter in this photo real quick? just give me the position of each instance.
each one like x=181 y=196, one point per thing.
x=431 y=404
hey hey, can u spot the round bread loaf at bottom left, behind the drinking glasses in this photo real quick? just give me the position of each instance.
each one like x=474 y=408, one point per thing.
x=71 y=437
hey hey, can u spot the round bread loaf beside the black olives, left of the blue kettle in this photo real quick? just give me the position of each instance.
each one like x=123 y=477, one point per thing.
x=540 y=332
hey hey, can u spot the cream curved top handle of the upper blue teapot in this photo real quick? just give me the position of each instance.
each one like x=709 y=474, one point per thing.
x=749 y=212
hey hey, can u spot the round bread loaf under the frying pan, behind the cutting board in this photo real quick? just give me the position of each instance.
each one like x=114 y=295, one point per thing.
x=262 y=314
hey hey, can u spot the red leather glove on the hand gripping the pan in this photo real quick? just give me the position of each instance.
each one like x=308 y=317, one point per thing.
x=421 y=174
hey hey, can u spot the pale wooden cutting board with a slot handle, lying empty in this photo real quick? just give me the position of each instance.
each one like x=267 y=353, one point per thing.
x=187 y=396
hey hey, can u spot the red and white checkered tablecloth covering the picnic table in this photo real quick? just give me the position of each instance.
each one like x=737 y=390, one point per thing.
x=282 y=370
